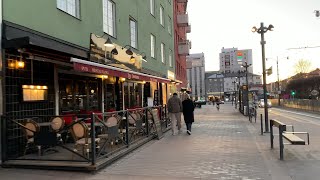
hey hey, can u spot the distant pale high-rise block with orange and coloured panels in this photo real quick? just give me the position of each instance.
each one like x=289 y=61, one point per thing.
x=231 y=60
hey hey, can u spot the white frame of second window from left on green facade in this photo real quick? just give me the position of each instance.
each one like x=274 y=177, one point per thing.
x=106 y=29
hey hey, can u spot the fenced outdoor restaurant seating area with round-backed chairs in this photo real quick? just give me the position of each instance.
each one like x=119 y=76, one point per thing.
x=80 y=138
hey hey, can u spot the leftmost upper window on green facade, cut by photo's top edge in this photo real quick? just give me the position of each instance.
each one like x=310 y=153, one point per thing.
x=71 y=7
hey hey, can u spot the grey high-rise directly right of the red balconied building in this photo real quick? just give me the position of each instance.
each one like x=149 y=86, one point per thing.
x=196 y=75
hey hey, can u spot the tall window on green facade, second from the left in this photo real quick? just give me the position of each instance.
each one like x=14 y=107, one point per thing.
x=109 y=17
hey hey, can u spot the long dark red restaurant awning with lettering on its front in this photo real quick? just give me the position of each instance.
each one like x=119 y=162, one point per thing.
x=96 y=68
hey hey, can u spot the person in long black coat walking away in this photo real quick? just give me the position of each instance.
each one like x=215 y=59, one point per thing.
x=188 y=115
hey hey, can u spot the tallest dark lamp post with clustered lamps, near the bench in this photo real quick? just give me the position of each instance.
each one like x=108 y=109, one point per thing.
x=261 y=30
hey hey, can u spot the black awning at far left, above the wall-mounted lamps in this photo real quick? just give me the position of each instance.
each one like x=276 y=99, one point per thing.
x=15 y=36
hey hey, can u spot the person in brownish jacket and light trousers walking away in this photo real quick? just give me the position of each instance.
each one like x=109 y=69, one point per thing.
x=175 y=109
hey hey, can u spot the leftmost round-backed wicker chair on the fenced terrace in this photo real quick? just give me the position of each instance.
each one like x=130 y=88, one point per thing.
x=30 y=127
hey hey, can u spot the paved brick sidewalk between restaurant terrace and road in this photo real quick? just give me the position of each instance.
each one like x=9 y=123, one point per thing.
x=223 y=145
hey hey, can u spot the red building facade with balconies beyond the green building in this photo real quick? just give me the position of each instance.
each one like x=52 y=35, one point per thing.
x=181 y=43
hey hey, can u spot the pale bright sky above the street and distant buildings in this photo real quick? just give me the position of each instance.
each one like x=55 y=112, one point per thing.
x=228 y=23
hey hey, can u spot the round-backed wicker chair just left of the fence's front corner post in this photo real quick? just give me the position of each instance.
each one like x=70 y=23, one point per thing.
x=80 y=133
